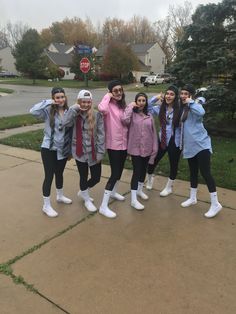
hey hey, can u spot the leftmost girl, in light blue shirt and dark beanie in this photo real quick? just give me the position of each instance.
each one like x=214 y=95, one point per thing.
x=54 y=152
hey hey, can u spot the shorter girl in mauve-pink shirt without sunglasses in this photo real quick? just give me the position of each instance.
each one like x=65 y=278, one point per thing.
x=142 y=144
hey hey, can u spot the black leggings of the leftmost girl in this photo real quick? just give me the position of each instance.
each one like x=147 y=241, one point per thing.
x=52 y=166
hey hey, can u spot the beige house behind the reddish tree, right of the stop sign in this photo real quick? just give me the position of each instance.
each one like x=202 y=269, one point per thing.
x=151 y=58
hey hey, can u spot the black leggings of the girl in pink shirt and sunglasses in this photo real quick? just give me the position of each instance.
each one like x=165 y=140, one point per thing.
x=117 y=160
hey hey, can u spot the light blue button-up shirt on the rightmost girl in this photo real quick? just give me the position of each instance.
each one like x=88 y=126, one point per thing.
x=195 y=136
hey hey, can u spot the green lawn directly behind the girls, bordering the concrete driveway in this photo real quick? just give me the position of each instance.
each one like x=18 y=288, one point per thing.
x=223 y=158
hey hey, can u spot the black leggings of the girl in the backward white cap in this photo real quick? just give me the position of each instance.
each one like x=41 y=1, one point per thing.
x=95 y=174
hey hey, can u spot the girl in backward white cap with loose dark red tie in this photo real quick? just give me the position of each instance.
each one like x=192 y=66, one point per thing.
x=88 y=144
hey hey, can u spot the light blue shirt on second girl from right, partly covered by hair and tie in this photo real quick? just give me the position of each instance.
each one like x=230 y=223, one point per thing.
x=155 y=110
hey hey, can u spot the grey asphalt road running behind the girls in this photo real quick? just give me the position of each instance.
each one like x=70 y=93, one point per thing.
x=24 y=97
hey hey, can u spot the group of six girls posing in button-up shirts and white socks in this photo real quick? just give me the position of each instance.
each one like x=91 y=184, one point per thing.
x=85 y=134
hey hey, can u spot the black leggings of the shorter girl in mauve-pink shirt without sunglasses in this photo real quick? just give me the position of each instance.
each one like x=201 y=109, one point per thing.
x=139 y=170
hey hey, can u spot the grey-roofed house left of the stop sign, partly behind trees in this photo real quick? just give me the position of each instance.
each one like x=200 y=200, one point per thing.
x=61 y=55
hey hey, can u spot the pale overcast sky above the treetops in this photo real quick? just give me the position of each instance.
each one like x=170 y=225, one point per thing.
x=41 y=14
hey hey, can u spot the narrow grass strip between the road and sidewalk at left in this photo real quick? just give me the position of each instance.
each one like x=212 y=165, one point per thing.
x=17 y=121
